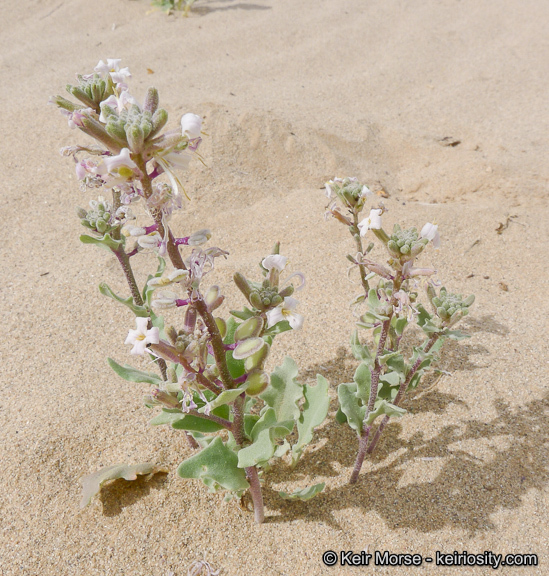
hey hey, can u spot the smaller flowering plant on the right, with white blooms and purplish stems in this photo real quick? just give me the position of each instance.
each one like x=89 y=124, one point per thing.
x=392 y=304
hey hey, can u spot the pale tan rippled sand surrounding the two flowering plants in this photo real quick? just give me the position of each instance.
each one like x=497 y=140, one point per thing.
x=293 y=92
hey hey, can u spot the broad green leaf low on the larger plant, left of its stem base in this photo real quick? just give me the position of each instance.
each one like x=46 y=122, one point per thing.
x=216 y=466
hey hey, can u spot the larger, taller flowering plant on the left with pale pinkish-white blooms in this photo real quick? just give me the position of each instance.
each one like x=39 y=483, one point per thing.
x=212 y=383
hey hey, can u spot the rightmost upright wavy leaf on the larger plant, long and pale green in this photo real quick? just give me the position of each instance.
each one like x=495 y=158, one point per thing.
x=313 y=413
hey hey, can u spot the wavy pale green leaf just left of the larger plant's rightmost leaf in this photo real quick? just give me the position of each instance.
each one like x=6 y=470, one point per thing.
x=283 y=393
